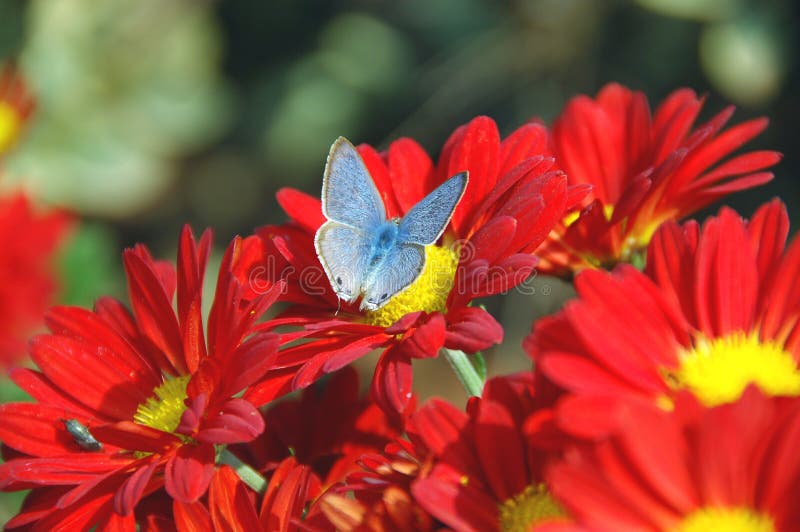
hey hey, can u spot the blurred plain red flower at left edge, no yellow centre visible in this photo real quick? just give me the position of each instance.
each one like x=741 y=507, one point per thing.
x=27 y=281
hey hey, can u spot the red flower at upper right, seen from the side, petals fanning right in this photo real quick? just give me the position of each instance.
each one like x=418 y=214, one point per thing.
x=644 y=170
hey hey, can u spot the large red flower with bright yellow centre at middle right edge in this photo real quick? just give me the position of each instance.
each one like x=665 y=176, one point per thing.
x=715 y=310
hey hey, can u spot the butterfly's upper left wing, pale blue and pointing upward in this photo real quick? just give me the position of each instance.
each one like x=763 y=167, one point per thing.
x=349 y=195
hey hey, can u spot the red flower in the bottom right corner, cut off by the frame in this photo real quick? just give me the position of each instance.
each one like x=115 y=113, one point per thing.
x=732 y=467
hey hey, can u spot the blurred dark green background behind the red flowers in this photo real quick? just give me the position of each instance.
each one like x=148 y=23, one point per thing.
x=159 y=112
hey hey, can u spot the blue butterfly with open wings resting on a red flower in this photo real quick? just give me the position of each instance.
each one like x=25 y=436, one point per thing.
x=363 y=253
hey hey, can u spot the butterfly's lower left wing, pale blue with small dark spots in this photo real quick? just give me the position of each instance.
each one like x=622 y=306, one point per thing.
x=344 y=252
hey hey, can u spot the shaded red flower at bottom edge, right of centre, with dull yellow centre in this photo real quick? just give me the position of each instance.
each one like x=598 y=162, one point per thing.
x=487 y=473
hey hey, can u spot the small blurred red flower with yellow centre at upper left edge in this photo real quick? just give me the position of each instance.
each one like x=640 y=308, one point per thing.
x=16 y=106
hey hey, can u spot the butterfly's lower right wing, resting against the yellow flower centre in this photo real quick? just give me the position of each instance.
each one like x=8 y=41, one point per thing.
x=401 y=266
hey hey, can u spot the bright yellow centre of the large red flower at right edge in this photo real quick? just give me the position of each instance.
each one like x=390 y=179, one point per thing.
x=718 y=370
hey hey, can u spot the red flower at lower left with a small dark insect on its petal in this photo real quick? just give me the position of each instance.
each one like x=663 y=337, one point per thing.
x=155 y=390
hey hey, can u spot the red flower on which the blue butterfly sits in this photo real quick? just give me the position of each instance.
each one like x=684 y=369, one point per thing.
x=511 y=203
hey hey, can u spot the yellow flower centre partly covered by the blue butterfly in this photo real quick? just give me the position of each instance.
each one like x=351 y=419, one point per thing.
x=427 y=293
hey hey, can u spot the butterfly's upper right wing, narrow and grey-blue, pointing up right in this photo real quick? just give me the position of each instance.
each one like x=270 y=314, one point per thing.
x=426 y=221
